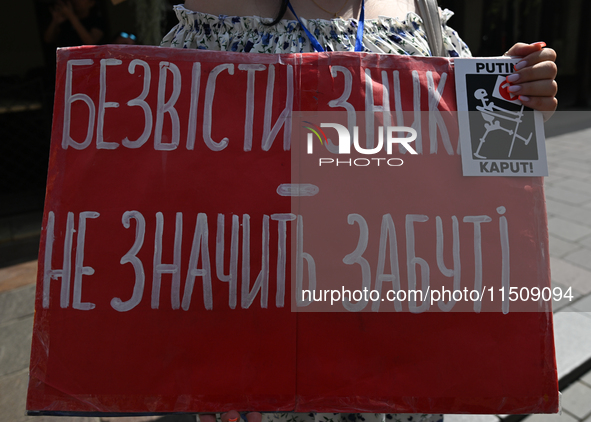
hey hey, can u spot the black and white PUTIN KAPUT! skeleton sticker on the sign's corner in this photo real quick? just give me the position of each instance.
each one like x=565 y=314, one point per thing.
x=499 y=136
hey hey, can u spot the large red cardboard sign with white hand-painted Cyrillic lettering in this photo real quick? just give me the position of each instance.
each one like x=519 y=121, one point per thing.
x=185 y=218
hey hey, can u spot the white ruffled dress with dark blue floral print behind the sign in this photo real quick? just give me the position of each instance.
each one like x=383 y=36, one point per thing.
x=250 y=35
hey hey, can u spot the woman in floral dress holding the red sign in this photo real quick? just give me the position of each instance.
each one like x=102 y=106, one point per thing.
x=371 y=26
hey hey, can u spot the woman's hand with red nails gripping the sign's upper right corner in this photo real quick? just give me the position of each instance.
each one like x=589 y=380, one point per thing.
x=533 y=80
